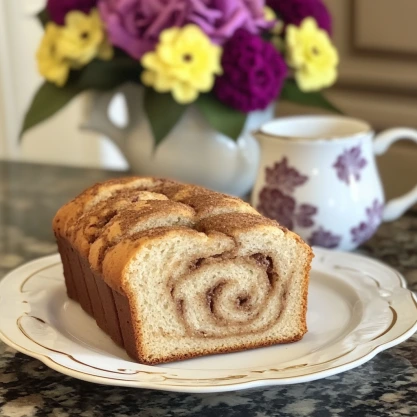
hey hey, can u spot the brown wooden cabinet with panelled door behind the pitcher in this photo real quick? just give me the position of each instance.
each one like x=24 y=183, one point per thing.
x=377 y=43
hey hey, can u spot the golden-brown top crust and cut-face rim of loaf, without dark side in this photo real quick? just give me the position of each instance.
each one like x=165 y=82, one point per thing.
x=112 y=222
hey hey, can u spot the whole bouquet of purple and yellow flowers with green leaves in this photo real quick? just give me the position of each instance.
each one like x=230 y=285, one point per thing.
x=228 y=58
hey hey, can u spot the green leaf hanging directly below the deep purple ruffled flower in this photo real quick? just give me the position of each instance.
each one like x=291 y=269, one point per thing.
x=222 y=118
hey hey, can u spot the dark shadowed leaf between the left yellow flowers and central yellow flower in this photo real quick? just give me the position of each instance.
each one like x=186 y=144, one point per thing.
x=105 y=75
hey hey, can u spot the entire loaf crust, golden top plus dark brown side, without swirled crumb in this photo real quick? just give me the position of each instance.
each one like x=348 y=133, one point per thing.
x=109 y=226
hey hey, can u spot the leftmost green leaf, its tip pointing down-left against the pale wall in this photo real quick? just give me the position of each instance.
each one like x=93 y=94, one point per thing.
x=48 y=100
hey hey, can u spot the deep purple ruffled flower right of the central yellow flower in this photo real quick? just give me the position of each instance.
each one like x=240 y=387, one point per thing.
x=253 y=73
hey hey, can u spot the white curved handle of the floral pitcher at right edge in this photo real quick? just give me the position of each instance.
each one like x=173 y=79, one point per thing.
x=397 y=206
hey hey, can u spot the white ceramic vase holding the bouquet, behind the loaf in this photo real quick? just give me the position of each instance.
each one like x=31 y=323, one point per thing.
x=193 y=151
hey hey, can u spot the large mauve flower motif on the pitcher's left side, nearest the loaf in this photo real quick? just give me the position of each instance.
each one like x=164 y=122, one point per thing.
x=276 y=201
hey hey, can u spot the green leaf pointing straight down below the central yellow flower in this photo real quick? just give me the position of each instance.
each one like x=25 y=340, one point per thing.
x=163 y=113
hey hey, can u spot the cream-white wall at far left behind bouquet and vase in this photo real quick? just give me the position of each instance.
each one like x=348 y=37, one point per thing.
x=58 y=140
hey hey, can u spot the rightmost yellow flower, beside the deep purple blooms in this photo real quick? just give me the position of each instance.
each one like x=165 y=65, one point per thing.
x=312 y=55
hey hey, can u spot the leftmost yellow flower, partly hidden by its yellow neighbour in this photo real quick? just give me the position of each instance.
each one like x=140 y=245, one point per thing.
x=51 y=65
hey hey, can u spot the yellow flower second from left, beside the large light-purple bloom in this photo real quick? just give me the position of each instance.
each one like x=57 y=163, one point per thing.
x=83 y=38
